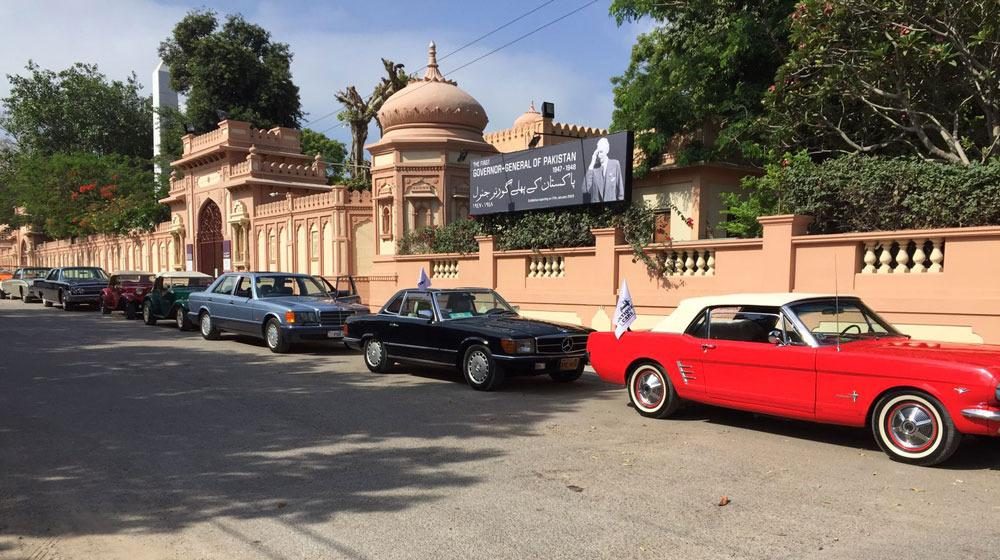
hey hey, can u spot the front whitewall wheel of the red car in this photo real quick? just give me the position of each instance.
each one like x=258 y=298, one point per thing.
x=912 y=427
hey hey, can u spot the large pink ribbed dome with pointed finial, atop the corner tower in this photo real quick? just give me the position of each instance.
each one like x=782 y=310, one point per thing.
x=432 y=100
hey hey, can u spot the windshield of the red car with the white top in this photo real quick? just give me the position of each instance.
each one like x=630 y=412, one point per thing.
x=831 y=322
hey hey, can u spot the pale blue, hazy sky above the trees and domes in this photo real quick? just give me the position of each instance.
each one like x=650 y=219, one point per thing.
x=340 y=43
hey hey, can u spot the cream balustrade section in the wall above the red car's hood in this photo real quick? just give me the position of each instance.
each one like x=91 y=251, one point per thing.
x=903 y=256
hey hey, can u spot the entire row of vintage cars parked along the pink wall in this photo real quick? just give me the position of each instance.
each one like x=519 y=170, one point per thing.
x=819 y=358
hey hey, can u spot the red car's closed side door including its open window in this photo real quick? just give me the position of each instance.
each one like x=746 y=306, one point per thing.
x=745 y=370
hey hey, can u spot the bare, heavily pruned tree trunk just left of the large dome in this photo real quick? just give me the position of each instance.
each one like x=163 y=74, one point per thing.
x=359 y=111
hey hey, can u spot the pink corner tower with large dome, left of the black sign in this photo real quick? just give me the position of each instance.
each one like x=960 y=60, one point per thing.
x=420 y=166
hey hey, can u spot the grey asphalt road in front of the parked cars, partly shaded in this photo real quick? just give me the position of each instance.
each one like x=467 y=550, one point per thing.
x=123 y=441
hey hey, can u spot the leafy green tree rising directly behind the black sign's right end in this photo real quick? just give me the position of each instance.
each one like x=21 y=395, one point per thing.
x=704 y=68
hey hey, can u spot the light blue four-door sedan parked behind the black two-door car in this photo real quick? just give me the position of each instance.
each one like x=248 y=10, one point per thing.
x=282 y=308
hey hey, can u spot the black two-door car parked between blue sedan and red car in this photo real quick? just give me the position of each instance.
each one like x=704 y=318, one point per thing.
x=473 y=329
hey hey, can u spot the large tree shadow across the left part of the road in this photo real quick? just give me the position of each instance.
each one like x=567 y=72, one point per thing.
x=111 y=427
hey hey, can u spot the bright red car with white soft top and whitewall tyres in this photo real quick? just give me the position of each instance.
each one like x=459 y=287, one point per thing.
x=812 y=357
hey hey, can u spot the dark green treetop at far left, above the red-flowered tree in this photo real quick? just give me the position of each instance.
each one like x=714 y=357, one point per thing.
x=77 y=110
